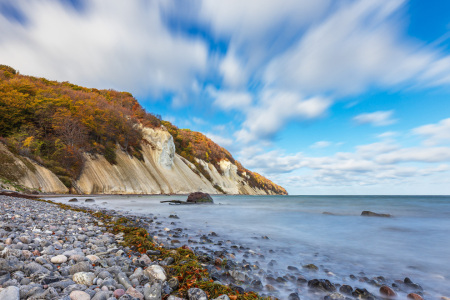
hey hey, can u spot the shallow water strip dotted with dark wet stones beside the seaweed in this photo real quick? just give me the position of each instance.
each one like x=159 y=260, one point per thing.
x=222 y=259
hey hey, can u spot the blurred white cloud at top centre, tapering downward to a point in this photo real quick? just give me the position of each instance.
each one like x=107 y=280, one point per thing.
x=259 y=29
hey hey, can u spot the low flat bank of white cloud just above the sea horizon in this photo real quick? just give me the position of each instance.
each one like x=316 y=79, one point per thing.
x=378 y=164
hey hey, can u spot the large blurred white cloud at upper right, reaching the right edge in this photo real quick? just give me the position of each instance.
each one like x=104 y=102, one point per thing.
x=354 y=49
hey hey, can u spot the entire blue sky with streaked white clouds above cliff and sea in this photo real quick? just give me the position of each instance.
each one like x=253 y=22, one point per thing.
x=322 y=97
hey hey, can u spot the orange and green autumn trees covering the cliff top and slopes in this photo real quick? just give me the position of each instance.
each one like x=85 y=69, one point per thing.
x=54 y=123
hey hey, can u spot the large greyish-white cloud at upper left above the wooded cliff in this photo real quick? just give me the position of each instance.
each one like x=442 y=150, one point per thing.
x=113 y=44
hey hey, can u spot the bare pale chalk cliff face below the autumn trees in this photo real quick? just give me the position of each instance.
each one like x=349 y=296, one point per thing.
x=160 y=171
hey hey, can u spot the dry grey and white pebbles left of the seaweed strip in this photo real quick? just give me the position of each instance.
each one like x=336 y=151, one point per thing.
x=47 y=252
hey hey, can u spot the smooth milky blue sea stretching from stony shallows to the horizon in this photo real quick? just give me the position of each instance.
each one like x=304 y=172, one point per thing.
x=414 y=243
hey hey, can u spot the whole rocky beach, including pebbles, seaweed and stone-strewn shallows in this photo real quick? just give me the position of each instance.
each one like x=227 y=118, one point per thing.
x=49 y=251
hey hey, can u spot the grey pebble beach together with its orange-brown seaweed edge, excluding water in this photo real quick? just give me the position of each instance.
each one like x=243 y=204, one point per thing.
x=135 y=266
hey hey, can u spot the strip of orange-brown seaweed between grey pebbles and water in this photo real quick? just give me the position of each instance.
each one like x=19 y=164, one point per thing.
x=186 y=268
